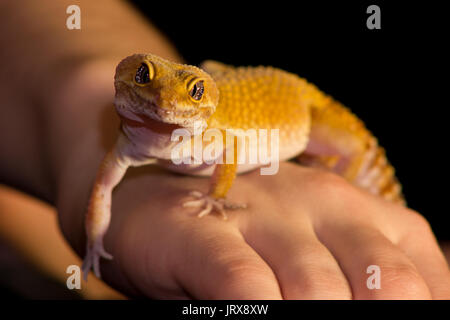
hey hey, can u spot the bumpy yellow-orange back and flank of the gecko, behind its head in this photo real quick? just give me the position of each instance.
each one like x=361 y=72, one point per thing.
x=254 y=97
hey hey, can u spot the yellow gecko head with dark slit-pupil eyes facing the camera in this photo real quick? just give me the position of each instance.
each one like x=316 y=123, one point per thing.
x=148 y=86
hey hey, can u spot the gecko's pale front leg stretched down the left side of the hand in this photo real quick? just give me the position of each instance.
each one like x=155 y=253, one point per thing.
x=98 y=216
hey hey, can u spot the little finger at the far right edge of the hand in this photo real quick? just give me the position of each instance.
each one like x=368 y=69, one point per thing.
x=422 y=248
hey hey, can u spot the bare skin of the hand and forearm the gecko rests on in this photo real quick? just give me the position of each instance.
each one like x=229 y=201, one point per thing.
x=317 y=244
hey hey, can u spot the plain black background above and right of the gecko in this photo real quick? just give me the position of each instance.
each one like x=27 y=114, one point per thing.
x=388 y=77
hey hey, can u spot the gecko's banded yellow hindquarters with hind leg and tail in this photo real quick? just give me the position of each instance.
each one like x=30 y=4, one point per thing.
x=340 y=142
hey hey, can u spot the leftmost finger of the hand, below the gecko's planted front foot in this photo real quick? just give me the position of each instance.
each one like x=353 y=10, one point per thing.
x=218 y=264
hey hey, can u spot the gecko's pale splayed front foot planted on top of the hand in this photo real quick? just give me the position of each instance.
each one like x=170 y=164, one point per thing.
x=209 y=203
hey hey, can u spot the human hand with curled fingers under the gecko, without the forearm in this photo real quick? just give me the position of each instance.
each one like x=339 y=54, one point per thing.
x=306 y=235
